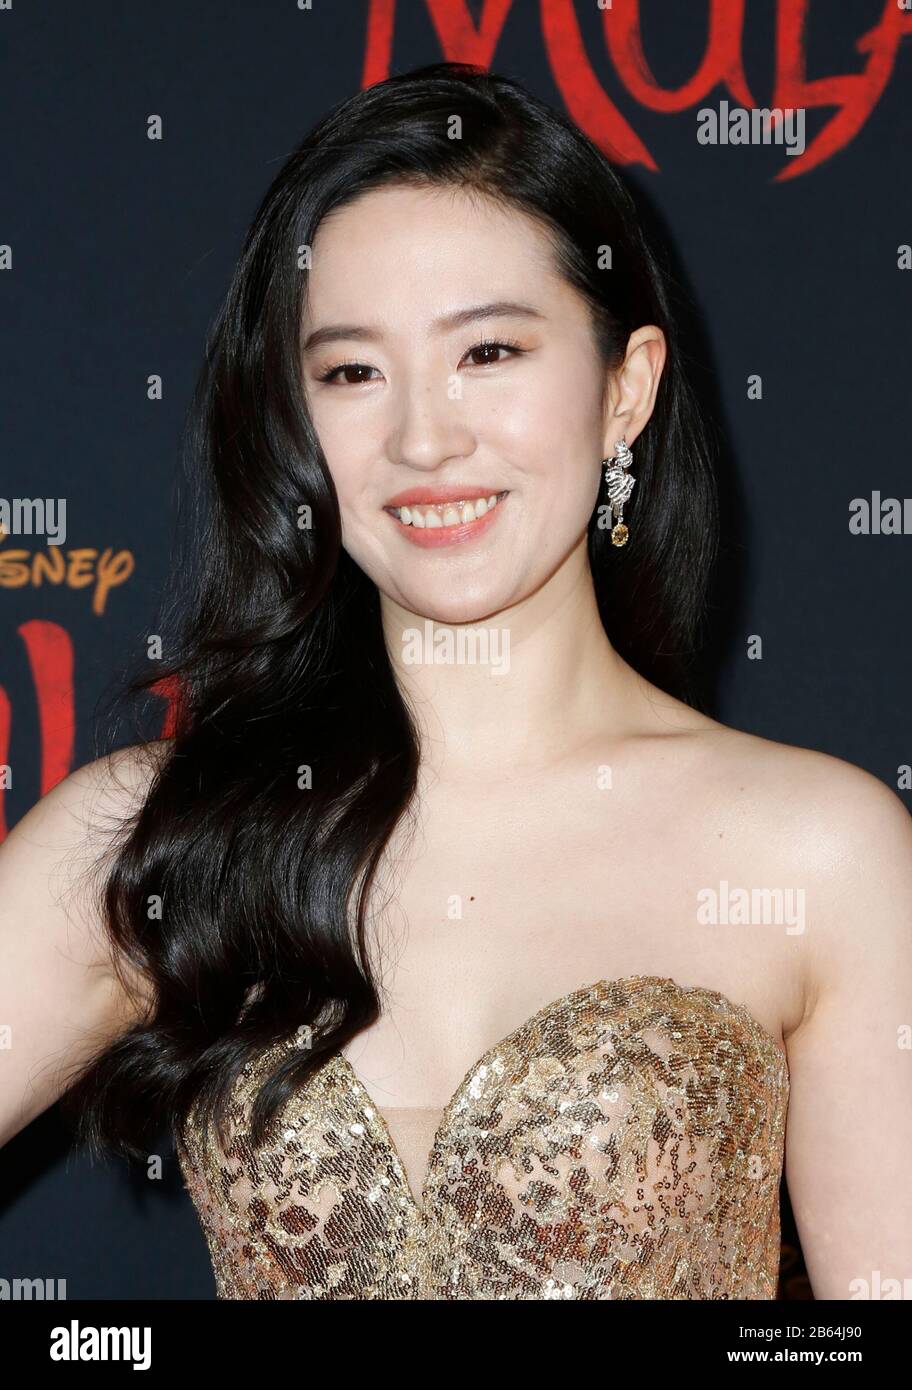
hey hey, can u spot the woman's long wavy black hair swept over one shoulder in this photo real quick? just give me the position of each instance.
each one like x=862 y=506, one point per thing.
x=280 y=660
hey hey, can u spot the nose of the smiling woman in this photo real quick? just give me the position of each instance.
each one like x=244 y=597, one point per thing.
x=430 y=422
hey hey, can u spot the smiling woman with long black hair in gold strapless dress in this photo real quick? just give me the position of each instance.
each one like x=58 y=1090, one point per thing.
x=418 y=928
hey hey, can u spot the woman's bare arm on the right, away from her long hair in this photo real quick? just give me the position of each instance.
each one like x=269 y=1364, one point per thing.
x=849 y=1145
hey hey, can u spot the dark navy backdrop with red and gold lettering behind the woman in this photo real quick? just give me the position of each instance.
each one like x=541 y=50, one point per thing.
x=122 y=247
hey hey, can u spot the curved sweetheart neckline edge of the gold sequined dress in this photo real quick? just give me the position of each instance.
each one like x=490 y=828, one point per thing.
x=421 y=1206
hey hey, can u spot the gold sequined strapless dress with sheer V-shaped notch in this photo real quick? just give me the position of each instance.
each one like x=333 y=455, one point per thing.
x=626 y=1142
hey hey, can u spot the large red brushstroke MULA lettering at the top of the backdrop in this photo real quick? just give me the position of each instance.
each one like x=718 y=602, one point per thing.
x=854 y=95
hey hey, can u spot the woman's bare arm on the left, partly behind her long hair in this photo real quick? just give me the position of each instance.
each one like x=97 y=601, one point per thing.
x=60 y=999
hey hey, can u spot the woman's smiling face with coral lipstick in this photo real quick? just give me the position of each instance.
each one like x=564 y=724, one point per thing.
x=421 y=394
